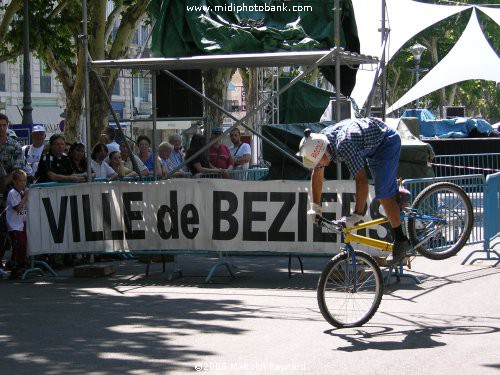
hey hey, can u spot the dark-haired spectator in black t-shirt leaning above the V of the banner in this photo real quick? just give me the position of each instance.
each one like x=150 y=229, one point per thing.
x=55 y=166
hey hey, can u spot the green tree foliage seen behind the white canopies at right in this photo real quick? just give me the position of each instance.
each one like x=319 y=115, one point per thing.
x=480 y=98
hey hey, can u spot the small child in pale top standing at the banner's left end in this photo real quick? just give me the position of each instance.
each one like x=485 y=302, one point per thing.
x=16 y=222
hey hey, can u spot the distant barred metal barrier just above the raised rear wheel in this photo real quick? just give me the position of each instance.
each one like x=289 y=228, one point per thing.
x=465 y=164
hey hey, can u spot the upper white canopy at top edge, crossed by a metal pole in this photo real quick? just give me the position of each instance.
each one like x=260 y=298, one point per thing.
x=406 y=18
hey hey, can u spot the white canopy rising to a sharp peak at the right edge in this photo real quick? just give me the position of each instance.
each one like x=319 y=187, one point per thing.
x=471 y=58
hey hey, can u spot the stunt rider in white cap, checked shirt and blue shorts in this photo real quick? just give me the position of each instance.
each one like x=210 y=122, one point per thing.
x=355 y=141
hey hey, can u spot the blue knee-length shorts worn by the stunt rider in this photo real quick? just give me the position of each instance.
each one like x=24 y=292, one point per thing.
x=383 y=164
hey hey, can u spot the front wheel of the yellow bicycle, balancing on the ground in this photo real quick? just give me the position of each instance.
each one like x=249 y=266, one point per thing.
x=350 y=289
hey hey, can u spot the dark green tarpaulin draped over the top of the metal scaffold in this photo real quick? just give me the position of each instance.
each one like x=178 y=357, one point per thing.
x=200 y=27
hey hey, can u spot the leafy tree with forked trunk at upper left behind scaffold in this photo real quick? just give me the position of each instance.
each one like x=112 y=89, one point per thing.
x=55 y=37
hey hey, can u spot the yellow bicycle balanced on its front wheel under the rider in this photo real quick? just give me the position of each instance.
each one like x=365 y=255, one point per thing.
x=350 y=287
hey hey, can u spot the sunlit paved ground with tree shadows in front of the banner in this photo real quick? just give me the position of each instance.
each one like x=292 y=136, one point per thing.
x=262 y=322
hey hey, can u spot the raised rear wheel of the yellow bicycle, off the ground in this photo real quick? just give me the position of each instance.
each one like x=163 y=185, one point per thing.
x=447 y=202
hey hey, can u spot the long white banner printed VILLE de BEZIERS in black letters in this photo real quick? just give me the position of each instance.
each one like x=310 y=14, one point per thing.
x=187 y=214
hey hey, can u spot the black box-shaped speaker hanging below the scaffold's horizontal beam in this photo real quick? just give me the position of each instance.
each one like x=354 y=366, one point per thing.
x=175 y=100
